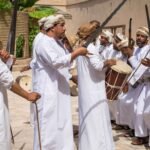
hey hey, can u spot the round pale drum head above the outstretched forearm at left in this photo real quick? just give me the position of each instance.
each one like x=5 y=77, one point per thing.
x=25 y=82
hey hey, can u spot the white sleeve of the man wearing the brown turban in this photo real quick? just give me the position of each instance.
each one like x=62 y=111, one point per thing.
x=95 y=58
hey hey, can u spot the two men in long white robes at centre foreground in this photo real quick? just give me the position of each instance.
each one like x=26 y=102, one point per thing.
x=50 y=67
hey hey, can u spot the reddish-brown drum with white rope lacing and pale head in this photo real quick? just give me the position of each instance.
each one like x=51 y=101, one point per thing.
x=116 y=78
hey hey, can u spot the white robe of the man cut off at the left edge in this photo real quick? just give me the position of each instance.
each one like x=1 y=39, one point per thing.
x=6 y=81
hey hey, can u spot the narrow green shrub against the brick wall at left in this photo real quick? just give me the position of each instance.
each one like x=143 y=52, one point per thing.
x=20 y=45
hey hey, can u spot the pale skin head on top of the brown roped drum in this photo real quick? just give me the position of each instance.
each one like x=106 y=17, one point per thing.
x=122 y=67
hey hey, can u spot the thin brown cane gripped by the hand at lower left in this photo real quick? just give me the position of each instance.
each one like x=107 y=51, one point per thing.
x=38 y=125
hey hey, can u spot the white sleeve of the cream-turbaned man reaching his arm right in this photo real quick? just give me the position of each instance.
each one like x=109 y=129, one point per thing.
x=47 y=52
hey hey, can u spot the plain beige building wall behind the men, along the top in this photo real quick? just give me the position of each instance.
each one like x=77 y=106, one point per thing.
x=100 y=9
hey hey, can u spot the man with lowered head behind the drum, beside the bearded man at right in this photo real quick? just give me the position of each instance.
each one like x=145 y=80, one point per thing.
x=125 y=100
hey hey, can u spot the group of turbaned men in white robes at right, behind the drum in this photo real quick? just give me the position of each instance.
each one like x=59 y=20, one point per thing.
x=132 y=107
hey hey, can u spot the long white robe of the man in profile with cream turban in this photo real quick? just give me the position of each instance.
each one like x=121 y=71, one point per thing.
x=54 y=106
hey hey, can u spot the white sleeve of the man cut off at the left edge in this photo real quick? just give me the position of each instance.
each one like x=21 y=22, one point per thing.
x=6 y=78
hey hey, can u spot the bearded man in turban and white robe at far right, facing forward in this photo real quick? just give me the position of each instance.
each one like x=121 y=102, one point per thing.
x=141 y=84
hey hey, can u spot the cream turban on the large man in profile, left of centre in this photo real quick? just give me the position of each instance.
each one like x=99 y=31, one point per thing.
x=53 y=20
